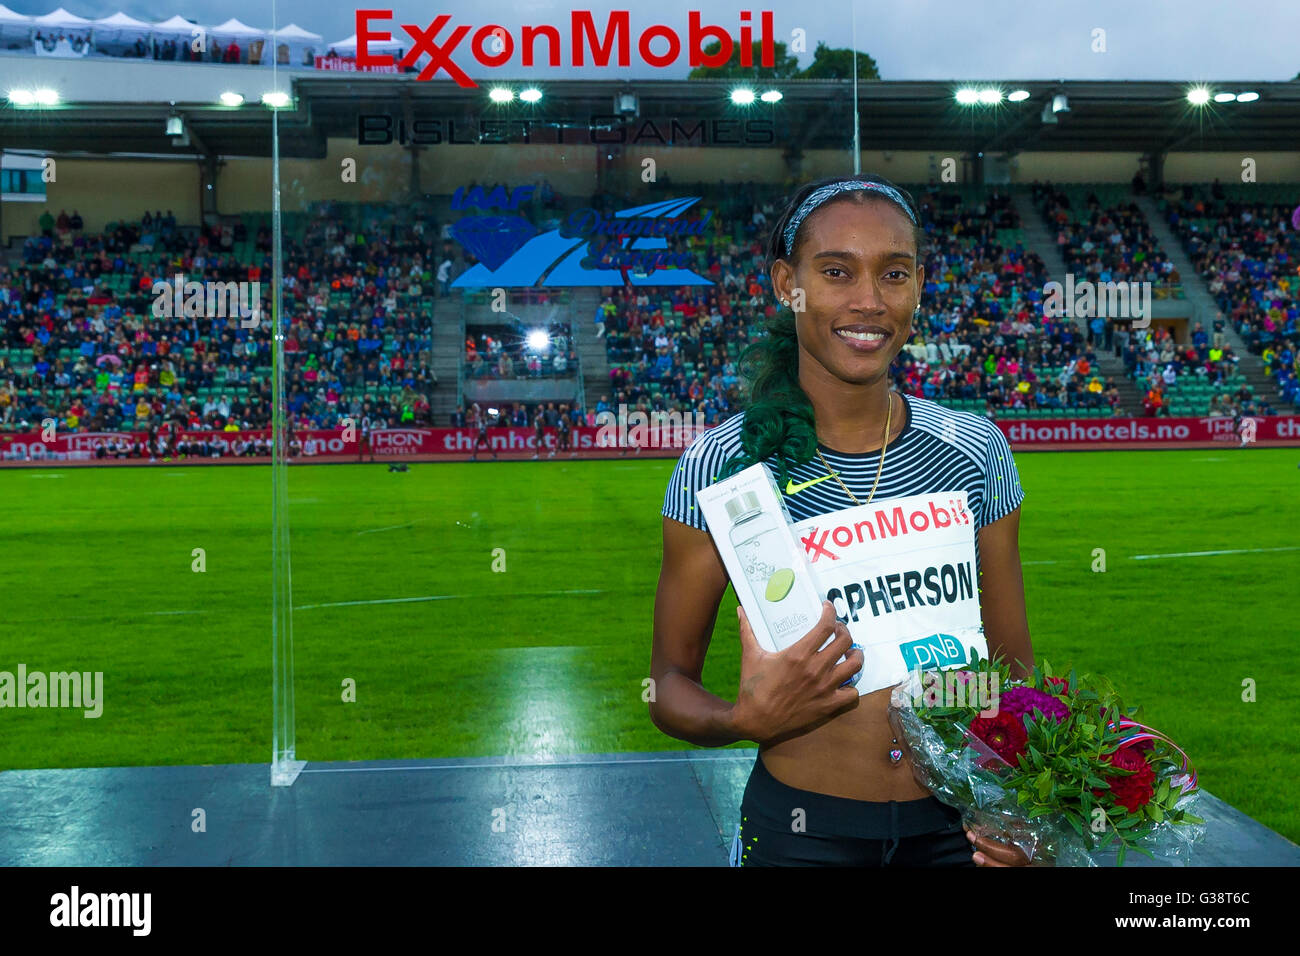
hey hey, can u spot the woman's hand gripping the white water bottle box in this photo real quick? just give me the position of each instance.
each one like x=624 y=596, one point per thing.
x=788 y=691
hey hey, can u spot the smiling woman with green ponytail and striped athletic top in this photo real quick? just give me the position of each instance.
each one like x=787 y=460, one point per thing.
x=847 y=258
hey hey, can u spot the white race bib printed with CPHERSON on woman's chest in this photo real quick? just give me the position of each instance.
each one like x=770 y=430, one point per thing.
x=903 y=577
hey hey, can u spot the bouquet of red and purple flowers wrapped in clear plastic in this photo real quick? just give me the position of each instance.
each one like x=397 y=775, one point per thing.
x=1055 y=763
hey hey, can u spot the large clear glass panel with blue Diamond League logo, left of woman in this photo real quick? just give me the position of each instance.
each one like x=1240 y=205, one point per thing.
x=460 y=589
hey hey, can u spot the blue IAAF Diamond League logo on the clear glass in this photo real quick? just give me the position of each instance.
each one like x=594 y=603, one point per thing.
x=588 y=250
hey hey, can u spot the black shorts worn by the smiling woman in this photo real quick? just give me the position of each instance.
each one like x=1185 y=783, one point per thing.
x=838 y=832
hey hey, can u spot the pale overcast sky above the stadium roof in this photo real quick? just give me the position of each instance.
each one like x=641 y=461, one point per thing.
x=911 y=40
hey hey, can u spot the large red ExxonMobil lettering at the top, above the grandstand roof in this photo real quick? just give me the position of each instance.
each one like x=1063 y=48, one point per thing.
x=493 y=45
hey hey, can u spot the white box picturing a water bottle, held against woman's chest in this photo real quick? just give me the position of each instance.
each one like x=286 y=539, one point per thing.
x=768 y=568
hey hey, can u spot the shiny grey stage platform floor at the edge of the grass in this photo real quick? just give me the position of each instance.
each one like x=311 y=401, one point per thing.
x=636 y=810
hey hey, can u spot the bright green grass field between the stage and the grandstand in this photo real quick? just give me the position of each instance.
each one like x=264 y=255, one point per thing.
x=548 y=657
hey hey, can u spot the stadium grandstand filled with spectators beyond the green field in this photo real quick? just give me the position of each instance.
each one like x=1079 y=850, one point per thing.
x=376 y=306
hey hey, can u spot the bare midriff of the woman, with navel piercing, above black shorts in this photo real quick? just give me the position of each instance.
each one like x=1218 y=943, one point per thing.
x=848 y=758
